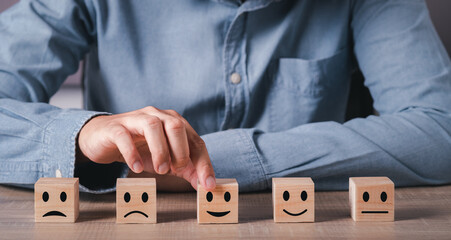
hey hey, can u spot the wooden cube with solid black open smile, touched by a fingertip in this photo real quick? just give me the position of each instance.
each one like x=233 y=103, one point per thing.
x=219 y=205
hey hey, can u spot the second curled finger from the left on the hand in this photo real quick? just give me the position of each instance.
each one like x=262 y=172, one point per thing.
x=157 y=143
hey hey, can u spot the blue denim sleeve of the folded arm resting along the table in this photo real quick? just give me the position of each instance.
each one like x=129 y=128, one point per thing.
x=408 y=73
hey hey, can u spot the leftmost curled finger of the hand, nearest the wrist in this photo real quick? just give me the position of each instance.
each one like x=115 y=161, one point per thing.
x=123 y=140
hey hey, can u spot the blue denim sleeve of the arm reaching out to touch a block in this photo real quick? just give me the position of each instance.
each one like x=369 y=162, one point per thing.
x=42 y=43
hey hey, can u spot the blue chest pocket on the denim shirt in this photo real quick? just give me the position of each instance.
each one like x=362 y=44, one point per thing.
x=303 y=91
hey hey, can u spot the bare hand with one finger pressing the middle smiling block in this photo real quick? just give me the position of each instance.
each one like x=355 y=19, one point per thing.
x=151 y=140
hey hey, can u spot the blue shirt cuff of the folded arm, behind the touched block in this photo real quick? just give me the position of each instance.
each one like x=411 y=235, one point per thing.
x=234 y=155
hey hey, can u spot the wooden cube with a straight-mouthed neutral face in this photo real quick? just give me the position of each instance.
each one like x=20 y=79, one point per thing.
x=372 y=198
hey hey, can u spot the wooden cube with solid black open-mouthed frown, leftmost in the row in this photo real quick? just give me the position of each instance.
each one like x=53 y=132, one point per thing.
x=56 y=200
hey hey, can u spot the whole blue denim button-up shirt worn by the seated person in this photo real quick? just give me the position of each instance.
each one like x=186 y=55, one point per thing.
x=281 y=114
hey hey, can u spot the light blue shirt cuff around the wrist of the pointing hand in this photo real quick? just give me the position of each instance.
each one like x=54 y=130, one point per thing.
x=59 y=154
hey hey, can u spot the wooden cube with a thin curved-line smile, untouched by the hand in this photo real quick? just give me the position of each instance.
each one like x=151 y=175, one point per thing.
x=293 y=199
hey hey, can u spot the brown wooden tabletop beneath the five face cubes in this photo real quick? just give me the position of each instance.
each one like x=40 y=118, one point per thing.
x=421 y=213
